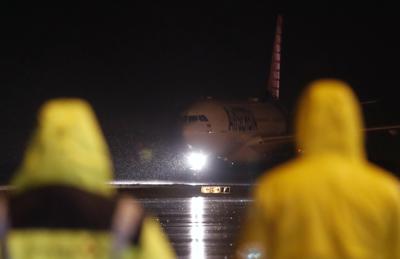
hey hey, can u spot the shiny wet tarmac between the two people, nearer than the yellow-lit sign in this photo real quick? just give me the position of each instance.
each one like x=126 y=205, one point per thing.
x=200 y=227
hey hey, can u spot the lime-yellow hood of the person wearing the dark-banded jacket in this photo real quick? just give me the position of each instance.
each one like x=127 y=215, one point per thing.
x=67 y=148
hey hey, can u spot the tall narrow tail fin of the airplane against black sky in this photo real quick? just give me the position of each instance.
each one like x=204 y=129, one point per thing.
x=274 y=76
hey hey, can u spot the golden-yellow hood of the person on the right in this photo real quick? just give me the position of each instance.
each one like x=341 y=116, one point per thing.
x=329 y=120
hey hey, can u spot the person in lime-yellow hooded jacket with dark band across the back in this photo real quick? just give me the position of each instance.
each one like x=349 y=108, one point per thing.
x=62 y=205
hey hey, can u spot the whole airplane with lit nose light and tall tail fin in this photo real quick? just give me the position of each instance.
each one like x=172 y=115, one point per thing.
x=244 y=131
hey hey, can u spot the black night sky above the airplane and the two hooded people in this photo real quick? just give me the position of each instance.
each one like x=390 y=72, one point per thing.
x=139 y=65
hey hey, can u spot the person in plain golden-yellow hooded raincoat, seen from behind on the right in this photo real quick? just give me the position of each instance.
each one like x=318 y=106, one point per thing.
x=329 y=202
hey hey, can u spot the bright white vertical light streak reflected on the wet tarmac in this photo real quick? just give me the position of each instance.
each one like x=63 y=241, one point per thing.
x=197 y=247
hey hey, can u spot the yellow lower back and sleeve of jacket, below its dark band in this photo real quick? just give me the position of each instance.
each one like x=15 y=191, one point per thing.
x=81 y=244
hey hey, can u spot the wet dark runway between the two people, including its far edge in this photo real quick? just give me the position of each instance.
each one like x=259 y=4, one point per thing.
x=198 y=225
